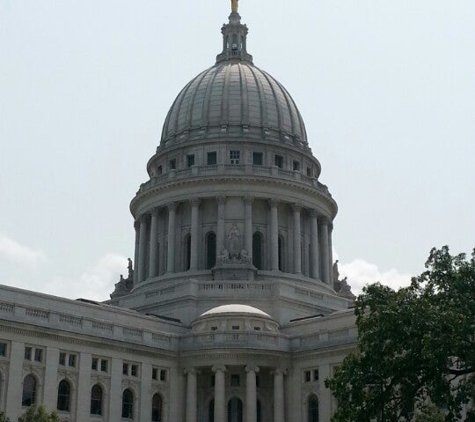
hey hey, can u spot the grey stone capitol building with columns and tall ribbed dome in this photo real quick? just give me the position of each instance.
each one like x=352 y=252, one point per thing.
x=232 y=309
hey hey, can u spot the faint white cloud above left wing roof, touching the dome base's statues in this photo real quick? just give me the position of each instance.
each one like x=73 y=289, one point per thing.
x=96 y=283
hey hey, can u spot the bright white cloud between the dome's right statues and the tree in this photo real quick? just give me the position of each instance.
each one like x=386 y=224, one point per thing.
x=360 y=273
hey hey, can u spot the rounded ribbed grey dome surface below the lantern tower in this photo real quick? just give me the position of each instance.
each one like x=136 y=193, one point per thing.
x=234 y=98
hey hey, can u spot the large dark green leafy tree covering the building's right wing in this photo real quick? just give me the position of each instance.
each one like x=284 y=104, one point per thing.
x=415 y=346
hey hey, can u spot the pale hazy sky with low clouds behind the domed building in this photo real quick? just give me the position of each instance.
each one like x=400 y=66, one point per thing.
x=386 y=88
